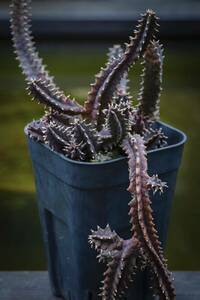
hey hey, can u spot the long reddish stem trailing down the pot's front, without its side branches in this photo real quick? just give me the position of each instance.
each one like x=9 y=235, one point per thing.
x=143 y=220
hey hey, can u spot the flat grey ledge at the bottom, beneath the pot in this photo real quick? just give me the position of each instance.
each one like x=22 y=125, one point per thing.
x=35 y=286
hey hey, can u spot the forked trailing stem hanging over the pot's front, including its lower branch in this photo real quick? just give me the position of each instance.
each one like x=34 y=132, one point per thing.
x=143 y=249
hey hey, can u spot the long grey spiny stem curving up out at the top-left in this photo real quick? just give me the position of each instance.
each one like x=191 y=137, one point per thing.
x=30 y=62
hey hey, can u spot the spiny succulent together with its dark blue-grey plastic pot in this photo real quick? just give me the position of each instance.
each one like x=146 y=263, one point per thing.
x=85 y=157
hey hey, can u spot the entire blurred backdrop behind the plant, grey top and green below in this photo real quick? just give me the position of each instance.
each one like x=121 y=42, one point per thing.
x=73 y=37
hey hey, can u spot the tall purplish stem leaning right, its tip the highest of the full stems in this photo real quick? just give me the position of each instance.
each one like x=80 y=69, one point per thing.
x=146 y=29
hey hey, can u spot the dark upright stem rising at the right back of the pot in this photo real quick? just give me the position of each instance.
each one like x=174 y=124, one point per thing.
x=149 y=95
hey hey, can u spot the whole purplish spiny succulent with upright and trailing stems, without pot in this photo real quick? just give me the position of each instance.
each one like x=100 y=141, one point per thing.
x=106 y=126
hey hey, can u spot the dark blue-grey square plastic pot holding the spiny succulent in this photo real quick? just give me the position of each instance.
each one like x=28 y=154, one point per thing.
x=74 y=197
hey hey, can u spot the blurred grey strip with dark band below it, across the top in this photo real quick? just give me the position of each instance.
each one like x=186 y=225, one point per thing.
x=107 y=19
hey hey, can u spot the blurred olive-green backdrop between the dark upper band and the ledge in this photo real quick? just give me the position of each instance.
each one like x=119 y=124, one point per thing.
x=74 y=66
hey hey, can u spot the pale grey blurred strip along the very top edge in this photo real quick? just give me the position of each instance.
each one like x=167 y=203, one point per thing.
x=112 y=9
